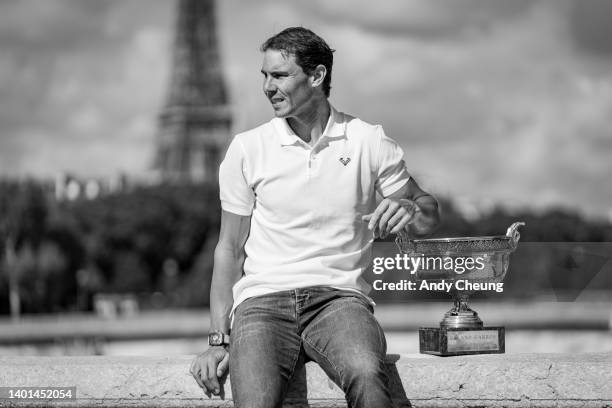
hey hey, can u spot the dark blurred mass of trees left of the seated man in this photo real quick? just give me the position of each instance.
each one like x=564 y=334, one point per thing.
x=67 y=251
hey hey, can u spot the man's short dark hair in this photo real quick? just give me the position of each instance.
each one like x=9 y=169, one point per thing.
x=309 y=50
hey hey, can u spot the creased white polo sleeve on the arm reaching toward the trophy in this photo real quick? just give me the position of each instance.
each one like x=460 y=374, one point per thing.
x=392 y=173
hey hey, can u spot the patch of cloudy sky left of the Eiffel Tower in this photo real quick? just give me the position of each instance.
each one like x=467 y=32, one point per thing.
x=74 y=77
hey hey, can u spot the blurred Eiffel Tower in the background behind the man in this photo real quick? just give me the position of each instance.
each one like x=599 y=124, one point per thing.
x=195 y=122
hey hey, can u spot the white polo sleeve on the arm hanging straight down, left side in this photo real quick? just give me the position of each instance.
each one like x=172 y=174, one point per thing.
x=236 y=195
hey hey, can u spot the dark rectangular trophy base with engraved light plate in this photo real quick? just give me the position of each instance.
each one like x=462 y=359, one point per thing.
x=450 y=341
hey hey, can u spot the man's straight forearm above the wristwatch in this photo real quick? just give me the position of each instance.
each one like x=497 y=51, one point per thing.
x=226 y=272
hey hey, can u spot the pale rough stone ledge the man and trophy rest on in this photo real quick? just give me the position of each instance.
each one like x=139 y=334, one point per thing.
x=511 y=380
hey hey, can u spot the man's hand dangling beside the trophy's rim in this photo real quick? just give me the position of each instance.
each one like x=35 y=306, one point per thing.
x=391 y=216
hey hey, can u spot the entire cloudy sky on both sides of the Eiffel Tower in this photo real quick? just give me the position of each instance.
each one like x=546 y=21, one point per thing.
x=494 y=101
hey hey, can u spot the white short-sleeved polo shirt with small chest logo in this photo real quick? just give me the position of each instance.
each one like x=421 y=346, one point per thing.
x=306 y=202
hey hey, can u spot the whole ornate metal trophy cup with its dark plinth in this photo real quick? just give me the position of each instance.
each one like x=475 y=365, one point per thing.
x=469 y=264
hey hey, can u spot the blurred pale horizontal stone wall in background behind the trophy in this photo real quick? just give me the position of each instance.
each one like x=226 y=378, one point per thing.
x=172 y=324
